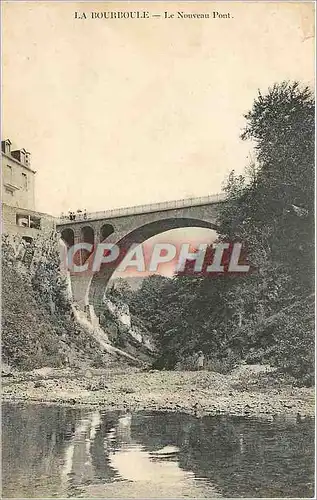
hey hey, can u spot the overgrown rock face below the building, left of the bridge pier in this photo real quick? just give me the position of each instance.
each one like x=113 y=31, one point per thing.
x=39 y=327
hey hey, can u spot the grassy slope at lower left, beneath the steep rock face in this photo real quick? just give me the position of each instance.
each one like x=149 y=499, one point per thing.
x=32 y=337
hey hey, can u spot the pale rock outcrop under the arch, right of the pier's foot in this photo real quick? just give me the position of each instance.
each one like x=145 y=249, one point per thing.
x=124 y=331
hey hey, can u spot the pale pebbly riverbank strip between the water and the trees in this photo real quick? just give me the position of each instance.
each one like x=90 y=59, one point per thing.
x=247 y=391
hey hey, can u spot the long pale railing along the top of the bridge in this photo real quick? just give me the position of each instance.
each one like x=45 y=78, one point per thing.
x=141 y=209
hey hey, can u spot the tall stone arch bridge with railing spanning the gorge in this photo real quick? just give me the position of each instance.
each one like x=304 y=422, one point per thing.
x=130 y=225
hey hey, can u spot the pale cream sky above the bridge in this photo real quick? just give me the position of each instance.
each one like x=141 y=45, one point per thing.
x=125 y=112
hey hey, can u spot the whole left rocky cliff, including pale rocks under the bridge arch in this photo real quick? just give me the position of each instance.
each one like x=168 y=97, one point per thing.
x=41 y=326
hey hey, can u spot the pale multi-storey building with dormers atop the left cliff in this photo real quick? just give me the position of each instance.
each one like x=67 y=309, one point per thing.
x=18 y=195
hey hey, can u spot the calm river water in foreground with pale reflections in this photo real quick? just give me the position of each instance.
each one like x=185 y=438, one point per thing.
x=64 y=452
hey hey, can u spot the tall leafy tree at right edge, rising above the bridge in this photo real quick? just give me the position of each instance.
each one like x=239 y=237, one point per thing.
x=271 y=210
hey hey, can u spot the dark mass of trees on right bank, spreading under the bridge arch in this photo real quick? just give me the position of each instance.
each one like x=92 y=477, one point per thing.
x=270 y=208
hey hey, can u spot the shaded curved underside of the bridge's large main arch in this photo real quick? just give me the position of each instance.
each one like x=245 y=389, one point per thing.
x=99 y=280
